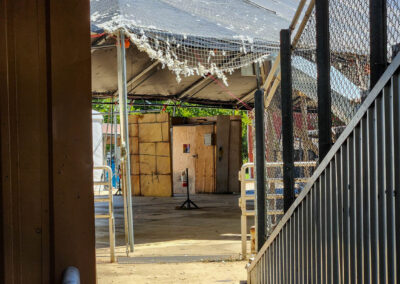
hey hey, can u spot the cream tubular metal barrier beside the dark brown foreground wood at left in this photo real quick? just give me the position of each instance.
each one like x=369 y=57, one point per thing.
x=109 y=200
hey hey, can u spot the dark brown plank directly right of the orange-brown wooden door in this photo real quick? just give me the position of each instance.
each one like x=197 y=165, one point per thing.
x=222 y=154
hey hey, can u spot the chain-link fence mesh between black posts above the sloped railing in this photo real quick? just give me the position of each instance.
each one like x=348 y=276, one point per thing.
x=350 y=83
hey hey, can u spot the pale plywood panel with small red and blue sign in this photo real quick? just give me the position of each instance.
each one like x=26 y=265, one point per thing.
x=180 y=161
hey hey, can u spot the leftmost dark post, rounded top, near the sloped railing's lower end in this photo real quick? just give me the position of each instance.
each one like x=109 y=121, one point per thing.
x=260 y=167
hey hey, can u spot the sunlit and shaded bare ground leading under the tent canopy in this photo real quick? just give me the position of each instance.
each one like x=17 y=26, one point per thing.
x=174 y=246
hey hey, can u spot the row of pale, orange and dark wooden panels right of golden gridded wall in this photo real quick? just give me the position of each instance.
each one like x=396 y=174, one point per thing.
x=214 y=171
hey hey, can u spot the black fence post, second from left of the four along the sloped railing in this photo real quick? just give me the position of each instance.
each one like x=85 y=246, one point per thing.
x=287 y=120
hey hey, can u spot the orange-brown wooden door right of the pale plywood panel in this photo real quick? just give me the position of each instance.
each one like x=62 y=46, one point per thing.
x=204 y=156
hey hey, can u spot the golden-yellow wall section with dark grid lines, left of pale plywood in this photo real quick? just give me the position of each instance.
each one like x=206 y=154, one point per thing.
x=150 y=151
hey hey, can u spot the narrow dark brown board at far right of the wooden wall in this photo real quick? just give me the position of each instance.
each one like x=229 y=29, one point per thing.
x=235 y=155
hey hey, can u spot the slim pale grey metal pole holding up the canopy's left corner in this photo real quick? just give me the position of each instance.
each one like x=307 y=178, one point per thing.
x=124 y=131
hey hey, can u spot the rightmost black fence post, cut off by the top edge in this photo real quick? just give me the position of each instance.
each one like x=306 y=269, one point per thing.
x=378 y=39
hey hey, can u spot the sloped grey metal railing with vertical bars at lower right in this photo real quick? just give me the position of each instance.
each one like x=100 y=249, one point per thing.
x=344 y=227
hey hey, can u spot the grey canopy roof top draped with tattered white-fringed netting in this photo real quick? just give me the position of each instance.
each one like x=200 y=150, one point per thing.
x=198 y=37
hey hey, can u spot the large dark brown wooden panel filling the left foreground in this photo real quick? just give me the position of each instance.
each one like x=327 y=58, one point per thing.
x=47 y=206
